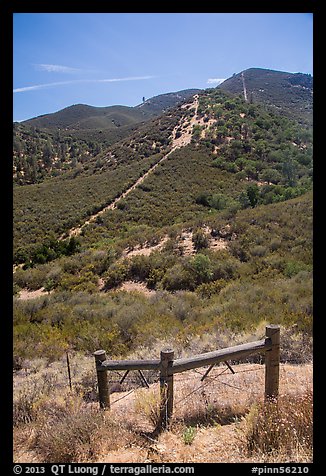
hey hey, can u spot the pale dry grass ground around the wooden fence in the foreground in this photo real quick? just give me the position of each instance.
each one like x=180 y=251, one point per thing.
x=218 y=420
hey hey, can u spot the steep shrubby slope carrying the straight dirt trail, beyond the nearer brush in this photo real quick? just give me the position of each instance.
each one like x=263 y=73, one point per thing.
x=232 y=144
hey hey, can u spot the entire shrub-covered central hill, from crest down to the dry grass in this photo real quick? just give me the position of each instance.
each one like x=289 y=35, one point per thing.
x=198 y=204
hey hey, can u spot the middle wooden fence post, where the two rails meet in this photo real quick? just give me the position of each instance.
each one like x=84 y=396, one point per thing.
x=166 y=387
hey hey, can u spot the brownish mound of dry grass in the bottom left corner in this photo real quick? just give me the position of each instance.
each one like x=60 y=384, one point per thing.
x=67 y=429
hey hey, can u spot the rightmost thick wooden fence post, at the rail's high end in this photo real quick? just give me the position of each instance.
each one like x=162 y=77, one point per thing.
x=272 y=363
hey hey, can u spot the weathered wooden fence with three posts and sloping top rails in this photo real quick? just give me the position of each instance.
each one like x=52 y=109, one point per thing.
x=167 y=367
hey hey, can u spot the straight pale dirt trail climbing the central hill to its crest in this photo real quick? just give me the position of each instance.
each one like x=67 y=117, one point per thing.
x=177 y=142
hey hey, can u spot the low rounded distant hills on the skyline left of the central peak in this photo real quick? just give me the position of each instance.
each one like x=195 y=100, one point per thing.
x=84 y=117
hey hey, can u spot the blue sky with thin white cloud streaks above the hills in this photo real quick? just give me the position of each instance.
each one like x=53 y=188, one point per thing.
x=103 y=59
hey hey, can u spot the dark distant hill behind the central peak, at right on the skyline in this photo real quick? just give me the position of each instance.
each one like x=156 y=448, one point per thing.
x=287 y=93
